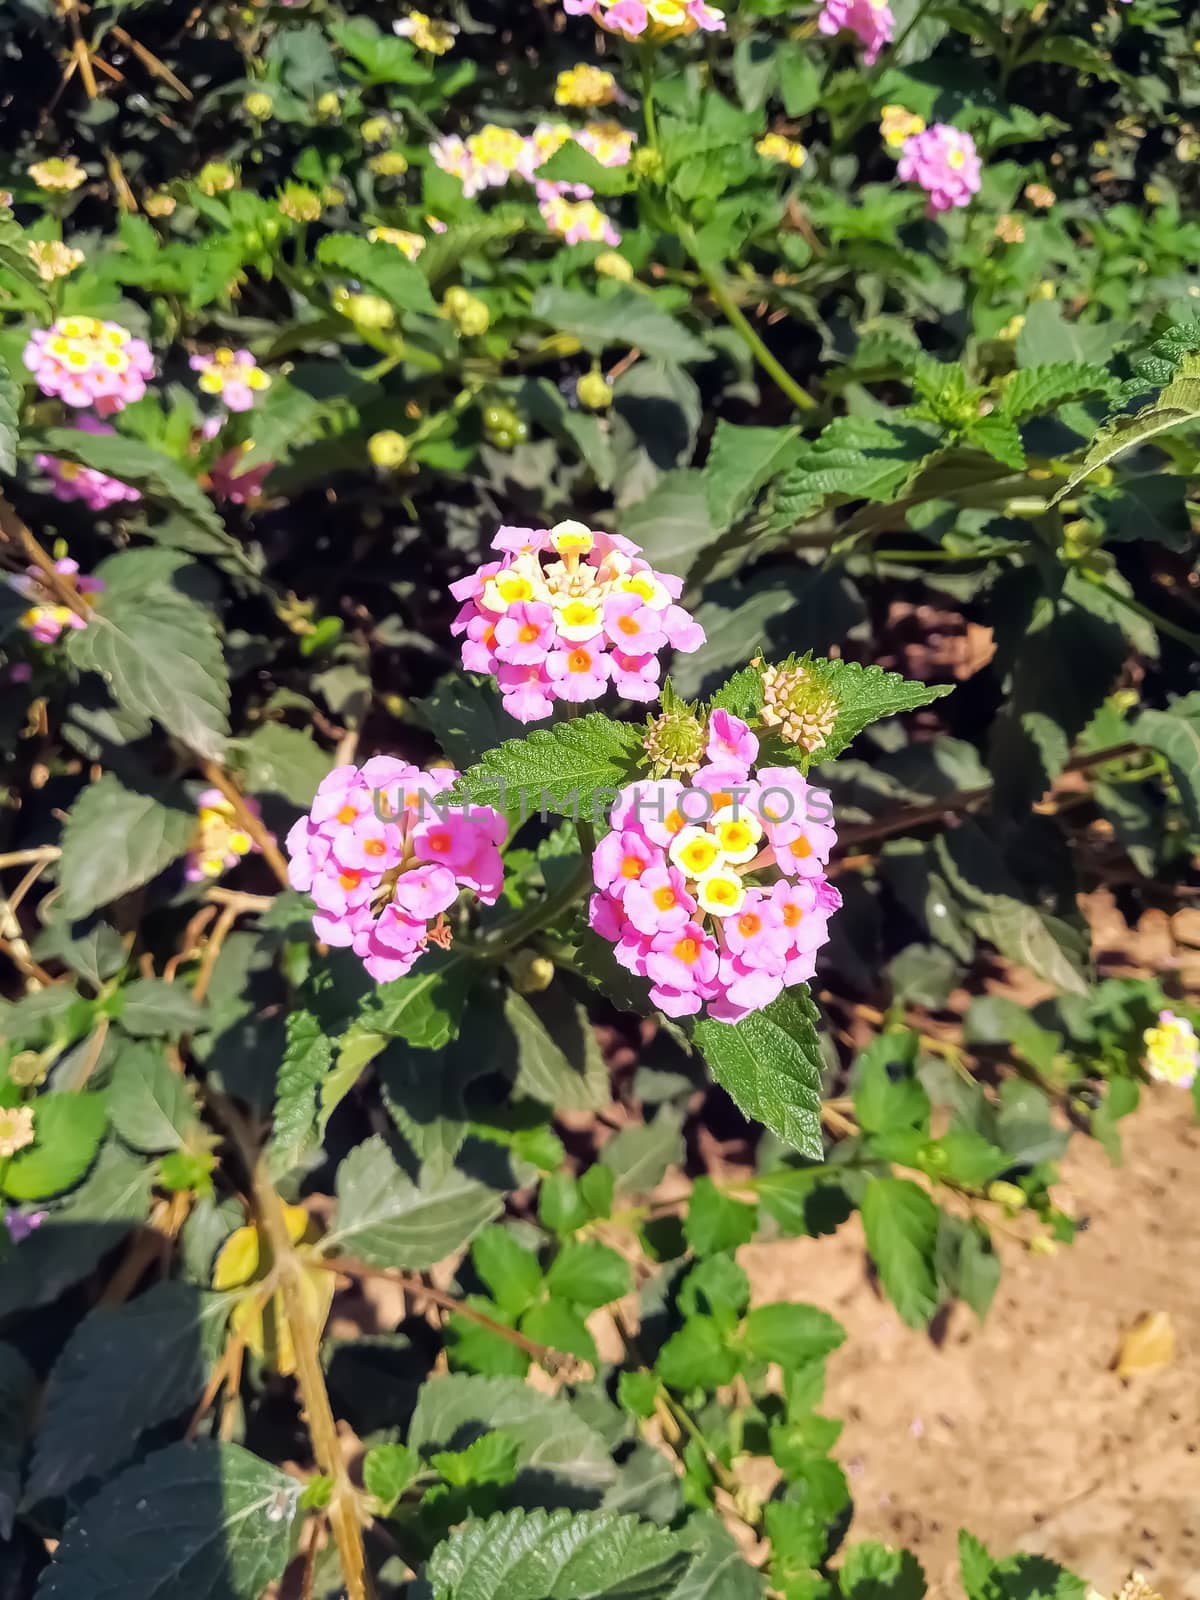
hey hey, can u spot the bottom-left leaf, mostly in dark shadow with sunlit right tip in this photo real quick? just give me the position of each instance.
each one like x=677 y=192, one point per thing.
x=191 y=1522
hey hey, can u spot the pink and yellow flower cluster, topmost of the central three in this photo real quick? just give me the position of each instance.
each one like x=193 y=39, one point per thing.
x=567 y=628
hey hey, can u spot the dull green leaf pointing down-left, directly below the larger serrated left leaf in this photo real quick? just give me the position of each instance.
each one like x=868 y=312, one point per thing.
x=116 y=839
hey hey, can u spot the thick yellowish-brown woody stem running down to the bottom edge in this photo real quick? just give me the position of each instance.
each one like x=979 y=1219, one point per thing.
x=343 y=1510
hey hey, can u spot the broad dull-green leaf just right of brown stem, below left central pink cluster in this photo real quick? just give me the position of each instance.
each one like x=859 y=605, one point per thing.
x=390 y=1222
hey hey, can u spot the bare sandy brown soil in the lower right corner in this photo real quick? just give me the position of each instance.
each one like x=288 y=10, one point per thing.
x=1020 y=1430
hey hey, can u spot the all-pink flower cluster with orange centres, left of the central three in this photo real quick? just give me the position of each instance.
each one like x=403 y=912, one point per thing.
x=385 y=860
